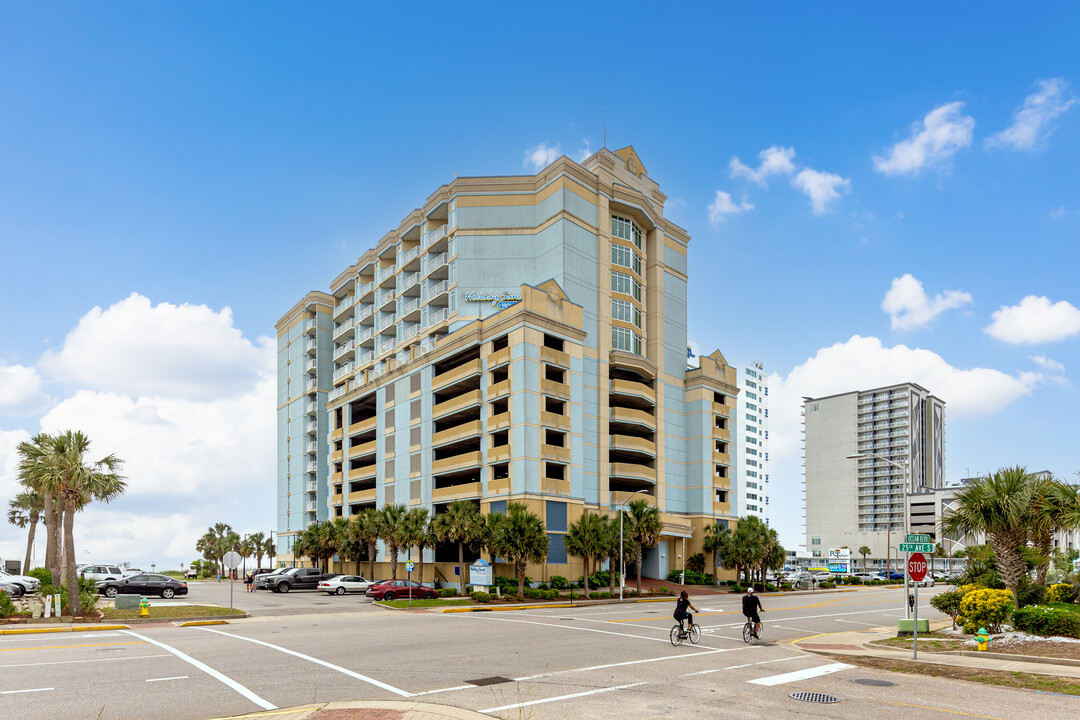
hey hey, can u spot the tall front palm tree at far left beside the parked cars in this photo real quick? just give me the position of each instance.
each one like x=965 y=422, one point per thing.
x=60 y=465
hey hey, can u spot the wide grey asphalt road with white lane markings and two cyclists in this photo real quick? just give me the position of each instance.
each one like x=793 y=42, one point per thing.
x=589 y=662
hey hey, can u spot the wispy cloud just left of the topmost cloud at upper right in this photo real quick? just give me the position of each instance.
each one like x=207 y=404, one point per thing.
x=944 y=131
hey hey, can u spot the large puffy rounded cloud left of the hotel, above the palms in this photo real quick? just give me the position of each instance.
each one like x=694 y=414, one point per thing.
x=173 y=351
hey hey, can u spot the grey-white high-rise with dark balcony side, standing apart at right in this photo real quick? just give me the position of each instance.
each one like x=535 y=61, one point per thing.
x=865 y=501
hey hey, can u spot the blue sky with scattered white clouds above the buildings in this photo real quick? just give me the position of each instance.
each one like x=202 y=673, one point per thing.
x=191 y=171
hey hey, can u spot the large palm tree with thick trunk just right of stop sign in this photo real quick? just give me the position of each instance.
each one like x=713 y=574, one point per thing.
x=998 y=507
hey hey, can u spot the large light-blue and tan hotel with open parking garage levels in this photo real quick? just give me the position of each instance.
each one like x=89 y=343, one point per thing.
x=519 y=339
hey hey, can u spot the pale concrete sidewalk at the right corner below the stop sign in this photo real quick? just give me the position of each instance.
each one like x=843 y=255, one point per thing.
x=857 y=643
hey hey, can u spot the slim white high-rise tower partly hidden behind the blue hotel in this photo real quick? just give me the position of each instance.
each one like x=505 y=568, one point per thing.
x=752 y=492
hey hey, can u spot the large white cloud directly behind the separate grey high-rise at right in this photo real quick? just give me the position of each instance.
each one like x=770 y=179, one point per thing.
x=862 y=363
